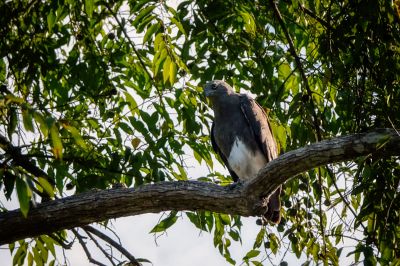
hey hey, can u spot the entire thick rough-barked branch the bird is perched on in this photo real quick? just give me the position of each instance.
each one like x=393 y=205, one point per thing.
x=95 y=206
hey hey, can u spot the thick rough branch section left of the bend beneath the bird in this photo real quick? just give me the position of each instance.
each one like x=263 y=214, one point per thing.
x=95 y=206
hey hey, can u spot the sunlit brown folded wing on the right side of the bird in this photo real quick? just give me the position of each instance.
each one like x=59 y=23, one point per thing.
x=259 y=124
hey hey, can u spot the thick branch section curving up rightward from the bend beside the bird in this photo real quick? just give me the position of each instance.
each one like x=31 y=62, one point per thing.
x=385 y=142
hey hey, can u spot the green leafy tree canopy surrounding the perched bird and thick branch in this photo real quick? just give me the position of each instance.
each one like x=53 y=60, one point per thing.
x=96 y=94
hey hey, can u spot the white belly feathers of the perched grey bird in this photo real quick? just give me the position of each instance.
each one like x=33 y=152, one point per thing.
x=244 y=162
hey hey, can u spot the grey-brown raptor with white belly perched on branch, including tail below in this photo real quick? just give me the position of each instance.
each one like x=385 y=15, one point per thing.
x=241 y=135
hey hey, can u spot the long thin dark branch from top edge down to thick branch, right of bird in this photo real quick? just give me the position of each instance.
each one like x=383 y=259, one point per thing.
x=299 y=65
